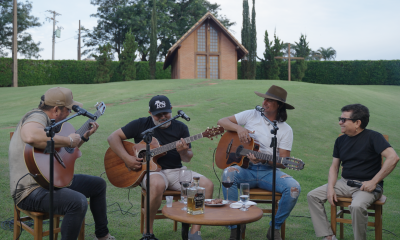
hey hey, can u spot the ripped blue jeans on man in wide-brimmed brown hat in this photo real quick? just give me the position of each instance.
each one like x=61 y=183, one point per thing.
x=260 y=176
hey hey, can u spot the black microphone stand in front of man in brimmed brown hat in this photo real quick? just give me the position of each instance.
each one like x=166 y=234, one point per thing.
x=274 y=131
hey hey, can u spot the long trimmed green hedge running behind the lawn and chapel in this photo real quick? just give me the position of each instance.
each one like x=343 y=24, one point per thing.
x=41 y=72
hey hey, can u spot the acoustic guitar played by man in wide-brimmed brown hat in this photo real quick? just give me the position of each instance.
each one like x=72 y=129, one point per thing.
x=231 y=151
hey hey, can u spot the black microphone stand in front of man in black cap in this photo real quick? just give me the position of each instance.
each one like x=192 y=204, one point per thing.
x=147 y=138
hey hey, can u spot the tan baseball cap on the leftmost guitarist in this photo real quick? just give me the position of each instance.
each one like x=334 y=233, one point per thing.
x=60 y=96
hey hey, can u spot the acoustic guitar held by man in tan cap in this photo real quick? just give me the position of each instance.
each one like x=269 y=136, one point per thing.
x=37 y=161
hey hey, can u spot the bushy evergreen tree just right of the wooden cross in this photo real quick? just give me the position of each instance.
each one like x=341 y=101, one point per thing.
x=301 y=49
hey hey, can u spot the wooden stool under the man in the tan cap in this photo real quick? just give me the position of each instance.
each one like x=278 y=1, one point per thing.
x=37 y=231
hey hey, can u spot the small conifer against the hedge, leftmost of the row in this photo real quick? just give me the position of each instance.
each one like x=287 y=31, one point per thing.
x=104 y=63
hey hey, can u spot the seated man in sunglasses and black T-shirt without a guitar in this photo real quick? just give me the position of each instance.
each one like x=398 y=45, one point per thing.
x=359 y=150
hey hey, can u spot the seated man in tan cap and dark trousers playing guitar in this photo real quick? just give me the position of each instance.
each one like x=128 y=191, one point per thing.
x=70 y=201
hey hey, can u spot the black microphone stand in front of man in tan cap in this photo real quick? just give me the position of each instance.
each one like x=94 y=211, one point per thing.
x=50 y=132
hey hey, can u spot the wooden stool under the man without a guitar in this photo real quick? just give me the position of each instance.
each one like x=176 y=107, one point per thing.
x=338 y=217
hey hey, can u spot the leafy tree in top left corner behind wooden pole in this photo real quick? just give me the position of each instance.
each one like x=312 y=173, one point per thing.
x=26 y=46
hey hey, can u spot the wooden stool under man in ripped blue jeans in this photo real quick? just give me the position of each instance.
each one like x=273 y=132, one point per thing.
x=259 y=195
